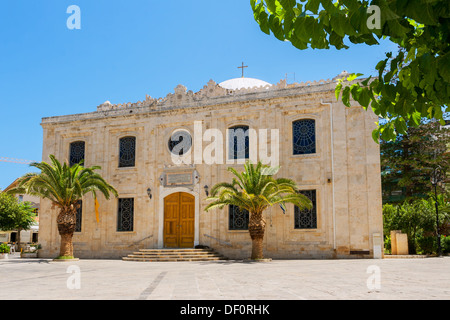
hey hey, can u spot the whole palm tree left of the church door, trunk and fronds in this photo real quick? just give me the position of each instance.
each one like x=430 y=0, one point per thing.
x=64 y=186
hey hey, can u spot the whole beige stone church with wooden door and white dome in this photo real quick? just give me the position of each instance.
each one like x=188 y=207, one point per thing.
x=324 y=146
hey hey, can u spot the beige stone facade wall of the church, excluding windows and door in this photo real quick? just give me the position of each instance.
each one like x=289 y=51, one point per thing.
x=348 y=185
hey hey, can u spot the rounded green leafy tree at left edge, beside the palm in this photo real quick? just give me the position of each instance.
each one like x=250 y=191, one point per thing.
x=15 y=215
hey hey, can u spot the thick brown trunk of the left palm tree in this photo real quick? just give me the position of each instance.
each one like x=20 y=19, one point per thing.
x=66 y=222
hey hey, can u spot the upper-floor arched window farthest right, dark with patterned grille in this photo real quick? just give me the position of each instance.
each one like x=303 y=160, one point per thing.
x=304 y=136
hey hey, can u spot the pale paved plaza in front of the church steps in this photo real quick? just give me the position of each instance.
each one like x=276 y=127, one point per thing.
x=427 y=278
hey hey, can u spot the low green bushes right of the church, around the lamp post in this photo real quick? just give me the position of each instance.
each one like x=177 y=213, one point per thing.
x=418 y=220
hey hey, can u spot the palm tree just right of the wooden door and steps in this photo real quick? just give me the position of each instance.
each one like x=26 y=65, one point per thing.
x=254 y=190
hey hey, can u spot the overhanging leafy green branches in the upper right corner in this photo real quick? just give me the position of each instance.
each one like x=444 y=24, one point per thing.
x=414 y=83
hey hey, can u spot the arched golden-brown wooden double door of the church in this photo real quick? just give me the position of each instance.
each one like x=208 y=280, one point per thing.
x=179 y=220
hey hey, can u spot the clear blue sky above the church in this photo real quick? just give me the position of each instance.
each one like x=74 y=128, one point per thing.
x=127 y=49
